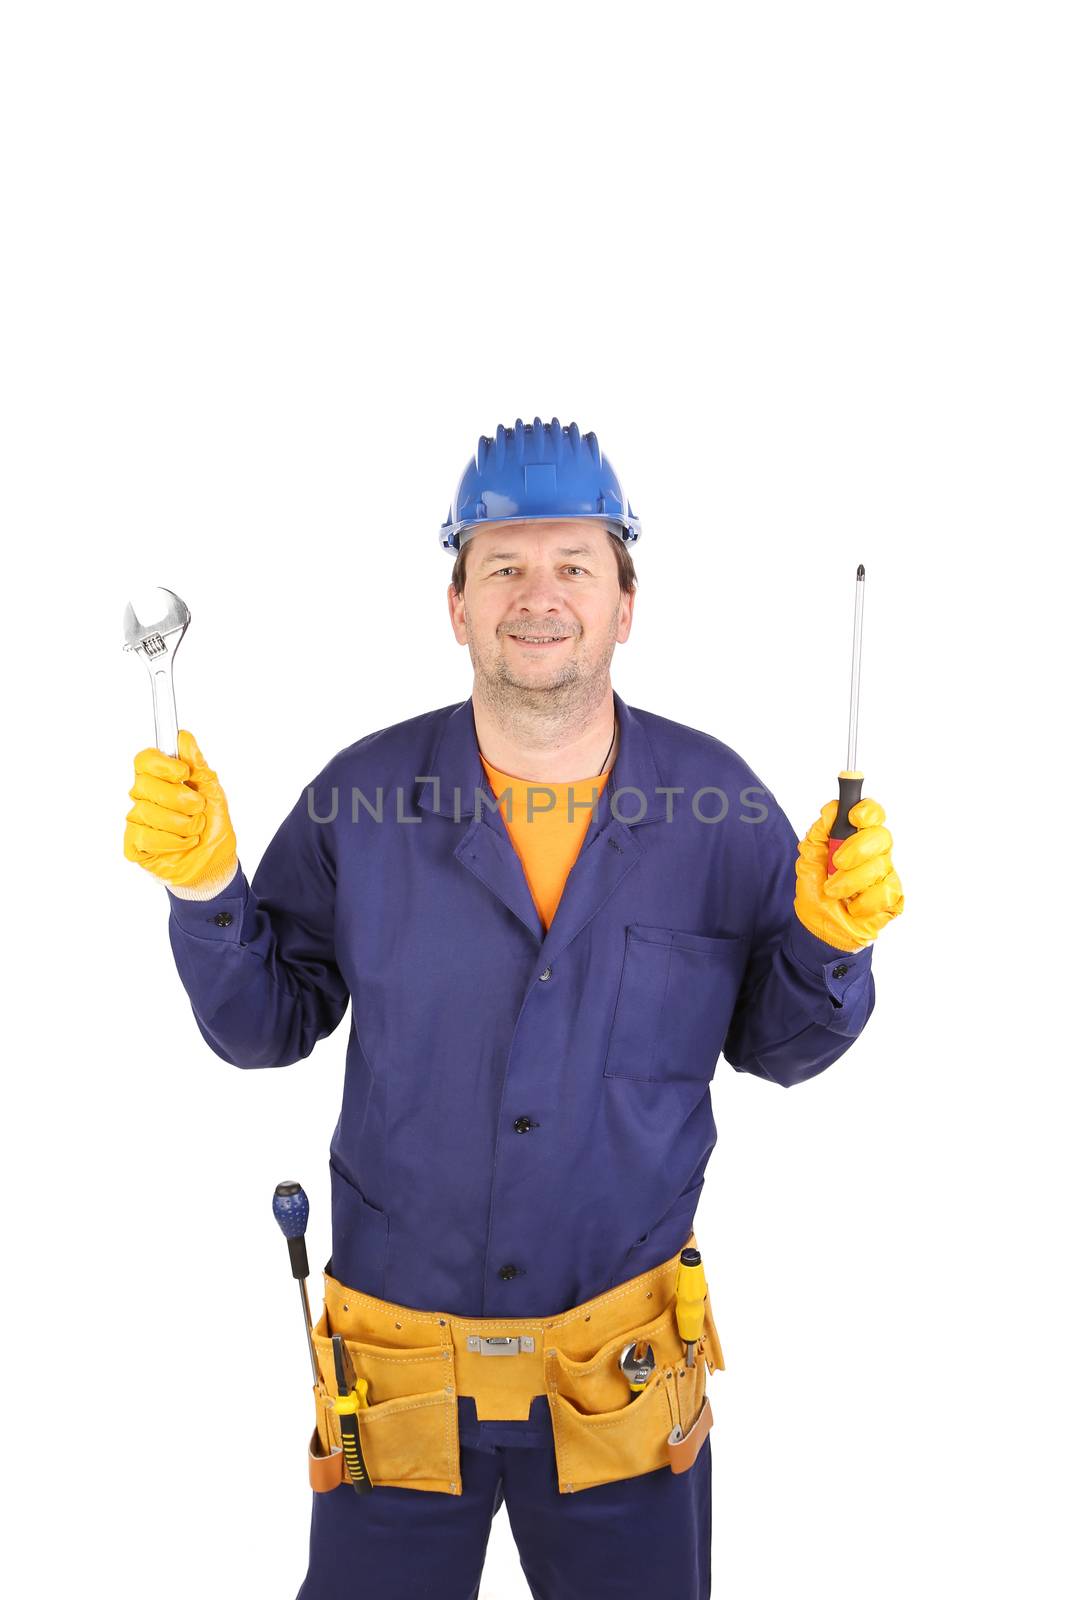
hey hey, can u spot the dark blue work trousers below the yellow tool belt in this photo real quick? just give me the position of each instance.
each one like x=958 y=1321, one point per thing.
x=621 y=1542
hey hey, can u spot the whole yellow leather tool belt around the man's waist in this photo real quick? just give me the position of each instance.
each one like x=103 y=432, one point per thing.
x=418 y=1362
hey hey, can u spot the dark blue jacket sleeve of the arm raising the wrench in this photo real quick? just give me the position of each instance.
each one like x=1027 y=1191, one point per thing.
x=258 y=961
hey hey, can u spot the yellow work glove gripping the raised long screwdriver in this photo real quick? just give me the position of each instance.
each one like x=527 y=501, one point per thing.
x=850 y=908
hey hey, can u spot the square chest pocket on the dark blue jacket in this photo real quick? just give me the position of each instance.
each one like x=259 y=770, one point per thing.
x=676 y=1002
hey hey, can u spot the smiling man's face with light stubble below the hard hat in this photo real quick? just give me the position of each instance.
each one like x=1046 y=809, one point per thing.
x=532 y=582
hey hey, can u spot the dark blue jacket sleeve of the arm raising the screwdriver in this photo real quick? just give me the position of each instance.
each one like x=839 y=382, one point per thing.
x=802 y=1002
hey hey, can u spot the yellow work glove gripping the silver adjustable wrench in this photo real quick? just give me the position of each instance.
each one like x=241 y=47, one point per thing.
x=180 y=826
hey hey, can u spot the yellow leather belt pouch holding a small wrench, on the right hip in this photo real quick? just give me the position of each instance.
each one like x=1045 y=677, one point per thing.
x=602 y=1431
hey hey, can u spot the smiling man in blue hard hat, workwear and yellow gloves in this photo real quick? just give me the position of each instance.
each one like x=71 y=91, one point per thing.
x=551 y=913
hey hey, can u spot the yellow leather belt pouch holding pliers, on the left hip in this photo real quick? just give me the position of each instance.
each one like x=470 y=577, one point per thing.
x=409 y=1433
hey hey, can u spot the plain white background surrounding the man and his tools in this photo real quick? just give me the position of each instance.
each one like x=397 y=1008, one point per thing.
x=270 y=271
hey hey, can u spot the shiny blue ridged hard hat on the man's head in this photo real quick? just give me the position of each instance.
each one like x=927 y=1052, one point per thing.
x=532 y=473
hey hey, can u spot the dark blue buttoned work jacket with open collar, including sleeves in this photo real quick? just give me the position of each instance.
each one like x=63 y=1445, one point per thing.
x=527 y=1116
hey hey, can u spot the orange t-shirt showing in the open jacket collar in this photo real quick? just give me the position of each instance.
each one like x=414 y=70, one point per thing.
x=546 y=841
